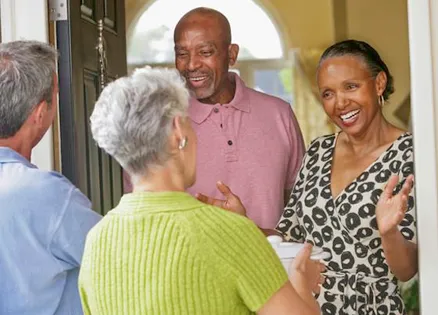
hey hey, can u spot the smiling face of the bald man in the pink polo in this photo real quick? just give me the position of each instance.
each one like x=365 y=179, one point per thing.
x=203 y=56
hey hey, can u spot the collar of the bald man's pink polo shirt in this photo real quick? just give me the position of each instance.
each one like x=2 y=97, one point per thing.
x=199 y=112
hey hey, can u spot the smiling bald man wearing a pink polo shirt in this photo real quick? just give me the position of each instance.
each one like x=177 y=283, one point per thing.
x=249 y=140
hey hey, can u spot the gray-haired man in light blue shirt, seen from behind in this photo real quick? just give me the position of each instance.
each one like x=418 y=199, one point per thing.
x=44 y=219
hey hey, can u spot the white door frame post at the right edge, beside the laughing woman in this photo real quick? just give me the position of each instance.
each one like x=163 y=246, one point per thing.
x=423 y=46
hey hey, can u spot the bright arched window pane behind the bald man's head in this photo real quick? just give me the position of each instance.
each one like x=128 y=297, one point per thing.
x=252 y=29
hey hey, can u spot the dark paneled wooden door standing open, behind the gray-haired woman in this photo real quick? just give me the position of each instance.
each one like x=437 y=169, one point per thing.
x=81 y=76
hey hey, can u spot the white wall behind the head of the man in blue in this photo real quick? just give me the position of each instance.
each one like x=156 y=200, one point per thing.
x=27 y=19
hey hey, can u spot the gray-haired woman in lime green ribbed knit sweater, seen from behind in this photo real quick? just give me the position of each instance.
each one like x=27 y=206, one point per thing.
x=161 y=251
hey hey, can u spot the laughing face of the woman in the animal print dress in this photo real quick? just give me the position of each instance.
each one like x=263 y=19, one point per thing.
x=350 y=94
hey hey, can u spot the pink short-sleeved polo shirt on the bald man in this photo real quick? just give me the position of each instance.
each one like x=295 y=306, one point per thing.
x=254 y=145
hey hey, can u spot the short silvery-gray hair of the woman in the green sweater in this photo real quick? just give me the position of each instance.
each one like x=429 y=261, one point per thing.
x=133 y=117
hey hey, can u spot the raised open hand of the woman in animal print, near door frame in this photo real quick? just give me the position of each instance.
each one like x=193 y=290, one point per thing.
x=390 y=209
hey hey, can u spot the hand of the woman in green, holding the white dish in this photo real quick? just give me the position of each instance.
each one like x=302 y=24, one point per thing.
x=305 y=271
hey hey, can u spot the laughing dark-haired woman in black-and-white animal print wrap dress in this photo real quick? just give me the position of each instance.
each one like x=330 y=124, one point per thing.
x=339 y=201
